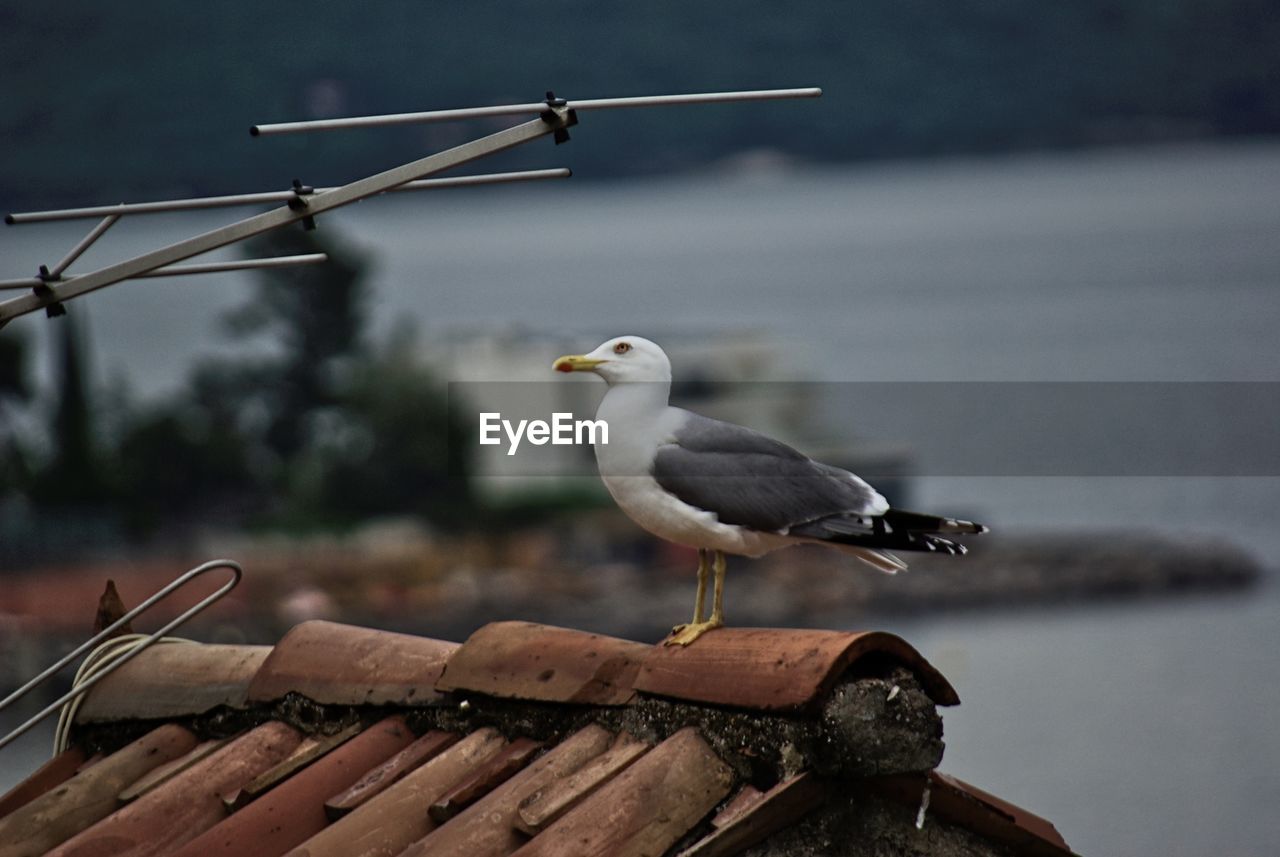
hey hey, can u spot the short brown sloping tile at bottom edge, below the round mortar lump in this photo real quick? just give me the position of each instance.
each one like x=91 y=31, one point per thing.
x=762 y=814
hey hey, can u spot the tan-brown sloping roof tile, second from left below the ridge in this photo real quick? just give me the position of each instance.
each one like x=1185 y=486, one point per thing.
x=60 y=814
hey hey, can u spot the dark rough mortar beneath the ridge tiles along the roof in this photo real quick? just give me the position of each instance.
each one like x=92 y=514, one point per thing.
x=860 y=731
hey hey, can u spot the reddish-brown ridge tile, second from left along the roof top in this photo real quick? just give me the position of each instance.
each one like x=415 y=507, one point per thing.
x=348 y=666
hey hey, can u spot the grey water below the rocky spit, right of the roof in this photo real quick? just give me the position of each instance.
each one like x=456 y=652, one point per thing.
x=1139 y=731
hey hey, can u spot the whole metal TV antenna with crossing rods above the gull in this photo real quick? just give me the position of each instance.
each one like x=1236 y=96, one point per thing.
x=53 y=287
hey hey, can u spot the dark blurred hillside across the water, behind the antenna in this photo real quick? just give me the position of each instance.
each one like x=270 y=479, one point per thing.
x=108 y=103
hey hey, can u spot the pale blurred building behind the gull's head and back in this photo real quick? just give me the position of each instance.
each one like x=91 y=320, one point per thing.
x=740 y=377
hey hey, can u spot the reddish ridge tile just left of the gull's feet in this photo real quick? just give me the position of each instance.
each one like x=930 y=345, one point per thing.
x=523 y=661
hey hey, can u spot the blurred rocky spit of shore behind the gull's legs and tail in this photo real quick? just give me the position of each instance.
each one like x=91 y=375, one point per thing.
x=815 y=588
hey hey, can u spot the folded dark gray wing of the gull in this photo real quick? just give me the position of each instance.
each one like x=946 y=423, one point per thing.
x=756 y=482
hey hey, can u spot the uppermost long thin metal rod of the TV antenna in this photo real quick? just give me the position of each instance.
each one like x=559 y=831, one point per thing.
x=533 y=108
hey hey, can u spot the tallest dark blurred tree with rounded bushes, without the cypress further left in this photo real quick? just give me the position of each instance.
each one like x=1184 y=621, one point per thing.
x=309 y=427
